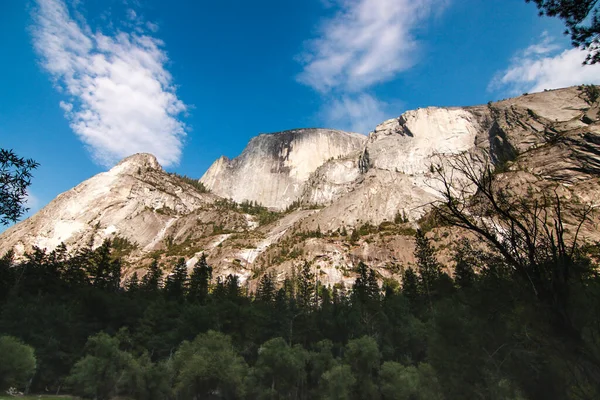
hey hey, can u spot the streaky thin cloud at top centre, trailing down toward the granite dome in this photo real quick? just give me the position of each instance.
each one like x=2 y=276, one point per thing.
x=365 y=43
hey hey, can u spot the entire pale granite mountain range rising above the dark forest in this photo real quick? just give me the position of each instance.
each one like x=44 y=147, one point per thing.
x=342 y=181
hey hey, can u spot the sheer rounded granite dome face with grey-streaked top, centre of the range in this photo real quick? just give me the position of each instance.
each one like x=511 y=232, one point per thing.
x=273 y=168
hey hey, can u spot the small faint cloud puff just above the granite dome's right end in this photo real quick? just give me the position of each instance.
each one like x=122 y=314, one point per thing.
x=355 y=113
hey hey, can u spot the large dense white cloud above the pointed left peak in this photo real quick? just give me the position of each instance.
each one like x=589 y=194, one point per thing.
x=121 y=98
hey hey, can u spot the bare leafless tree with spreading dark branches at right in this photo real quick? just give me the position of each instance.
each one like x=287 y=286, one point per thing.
x=532 y=227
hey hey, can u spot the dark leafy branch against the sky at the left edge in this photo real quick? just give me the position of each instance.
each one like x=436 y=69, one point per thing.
x=15 y=178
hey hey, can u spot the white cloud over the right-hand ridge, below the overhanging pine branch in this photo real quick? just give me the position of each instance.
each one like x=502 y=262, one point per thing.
x=545 y=65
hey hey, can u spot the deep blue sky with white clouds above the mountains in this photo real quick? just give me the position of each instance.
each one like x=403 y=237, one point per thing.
x=85 y=83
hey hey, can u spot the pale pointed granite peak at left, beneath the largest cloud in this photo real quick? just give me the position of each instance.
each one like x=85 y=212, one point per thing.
x=121 y=202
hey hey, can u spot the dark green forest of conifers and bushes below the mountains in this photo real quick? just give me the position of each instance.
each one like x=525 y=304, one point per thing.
x=481 y=334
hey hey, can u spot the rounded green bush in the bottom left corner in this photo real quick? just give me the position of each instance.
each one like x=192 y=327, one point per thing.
x=18 y=363
